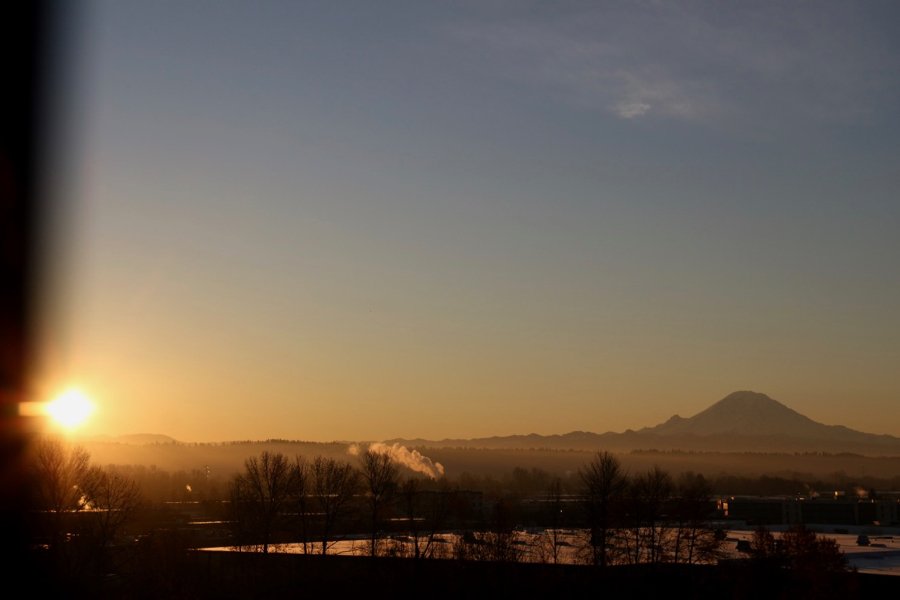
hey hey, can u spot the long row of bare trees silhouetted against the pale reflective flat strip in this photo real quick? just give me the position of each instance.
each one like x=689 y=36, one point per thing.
x=610 y=517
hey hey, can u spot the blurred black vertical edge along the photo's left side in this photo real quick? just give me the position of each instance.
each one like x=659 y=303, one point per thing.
x=26 y=41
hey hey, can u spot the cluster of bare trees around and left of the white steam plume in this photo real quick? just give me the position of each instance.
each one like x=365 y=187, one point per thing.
x=310 y=501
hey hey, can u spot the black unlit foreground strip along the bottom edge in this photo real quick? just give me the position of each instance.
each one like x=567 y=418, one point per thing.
x=158 y=572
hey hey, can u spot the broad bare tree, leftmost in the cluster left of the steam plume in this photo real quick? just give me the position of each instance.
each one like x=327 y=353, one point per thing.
x=260 y=494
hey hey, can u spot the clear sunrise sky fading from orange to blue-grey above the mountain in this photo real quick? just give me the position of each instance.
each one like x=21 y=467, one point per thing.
x=368 y=220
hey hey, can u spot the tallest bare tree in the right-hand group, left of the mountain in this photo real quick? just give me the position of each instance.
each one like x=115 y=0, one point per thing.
x=603 y=483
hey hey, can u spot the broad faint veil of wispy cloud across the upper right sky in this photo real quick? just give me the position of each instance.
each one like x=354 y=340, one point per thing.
x=759 y=63
